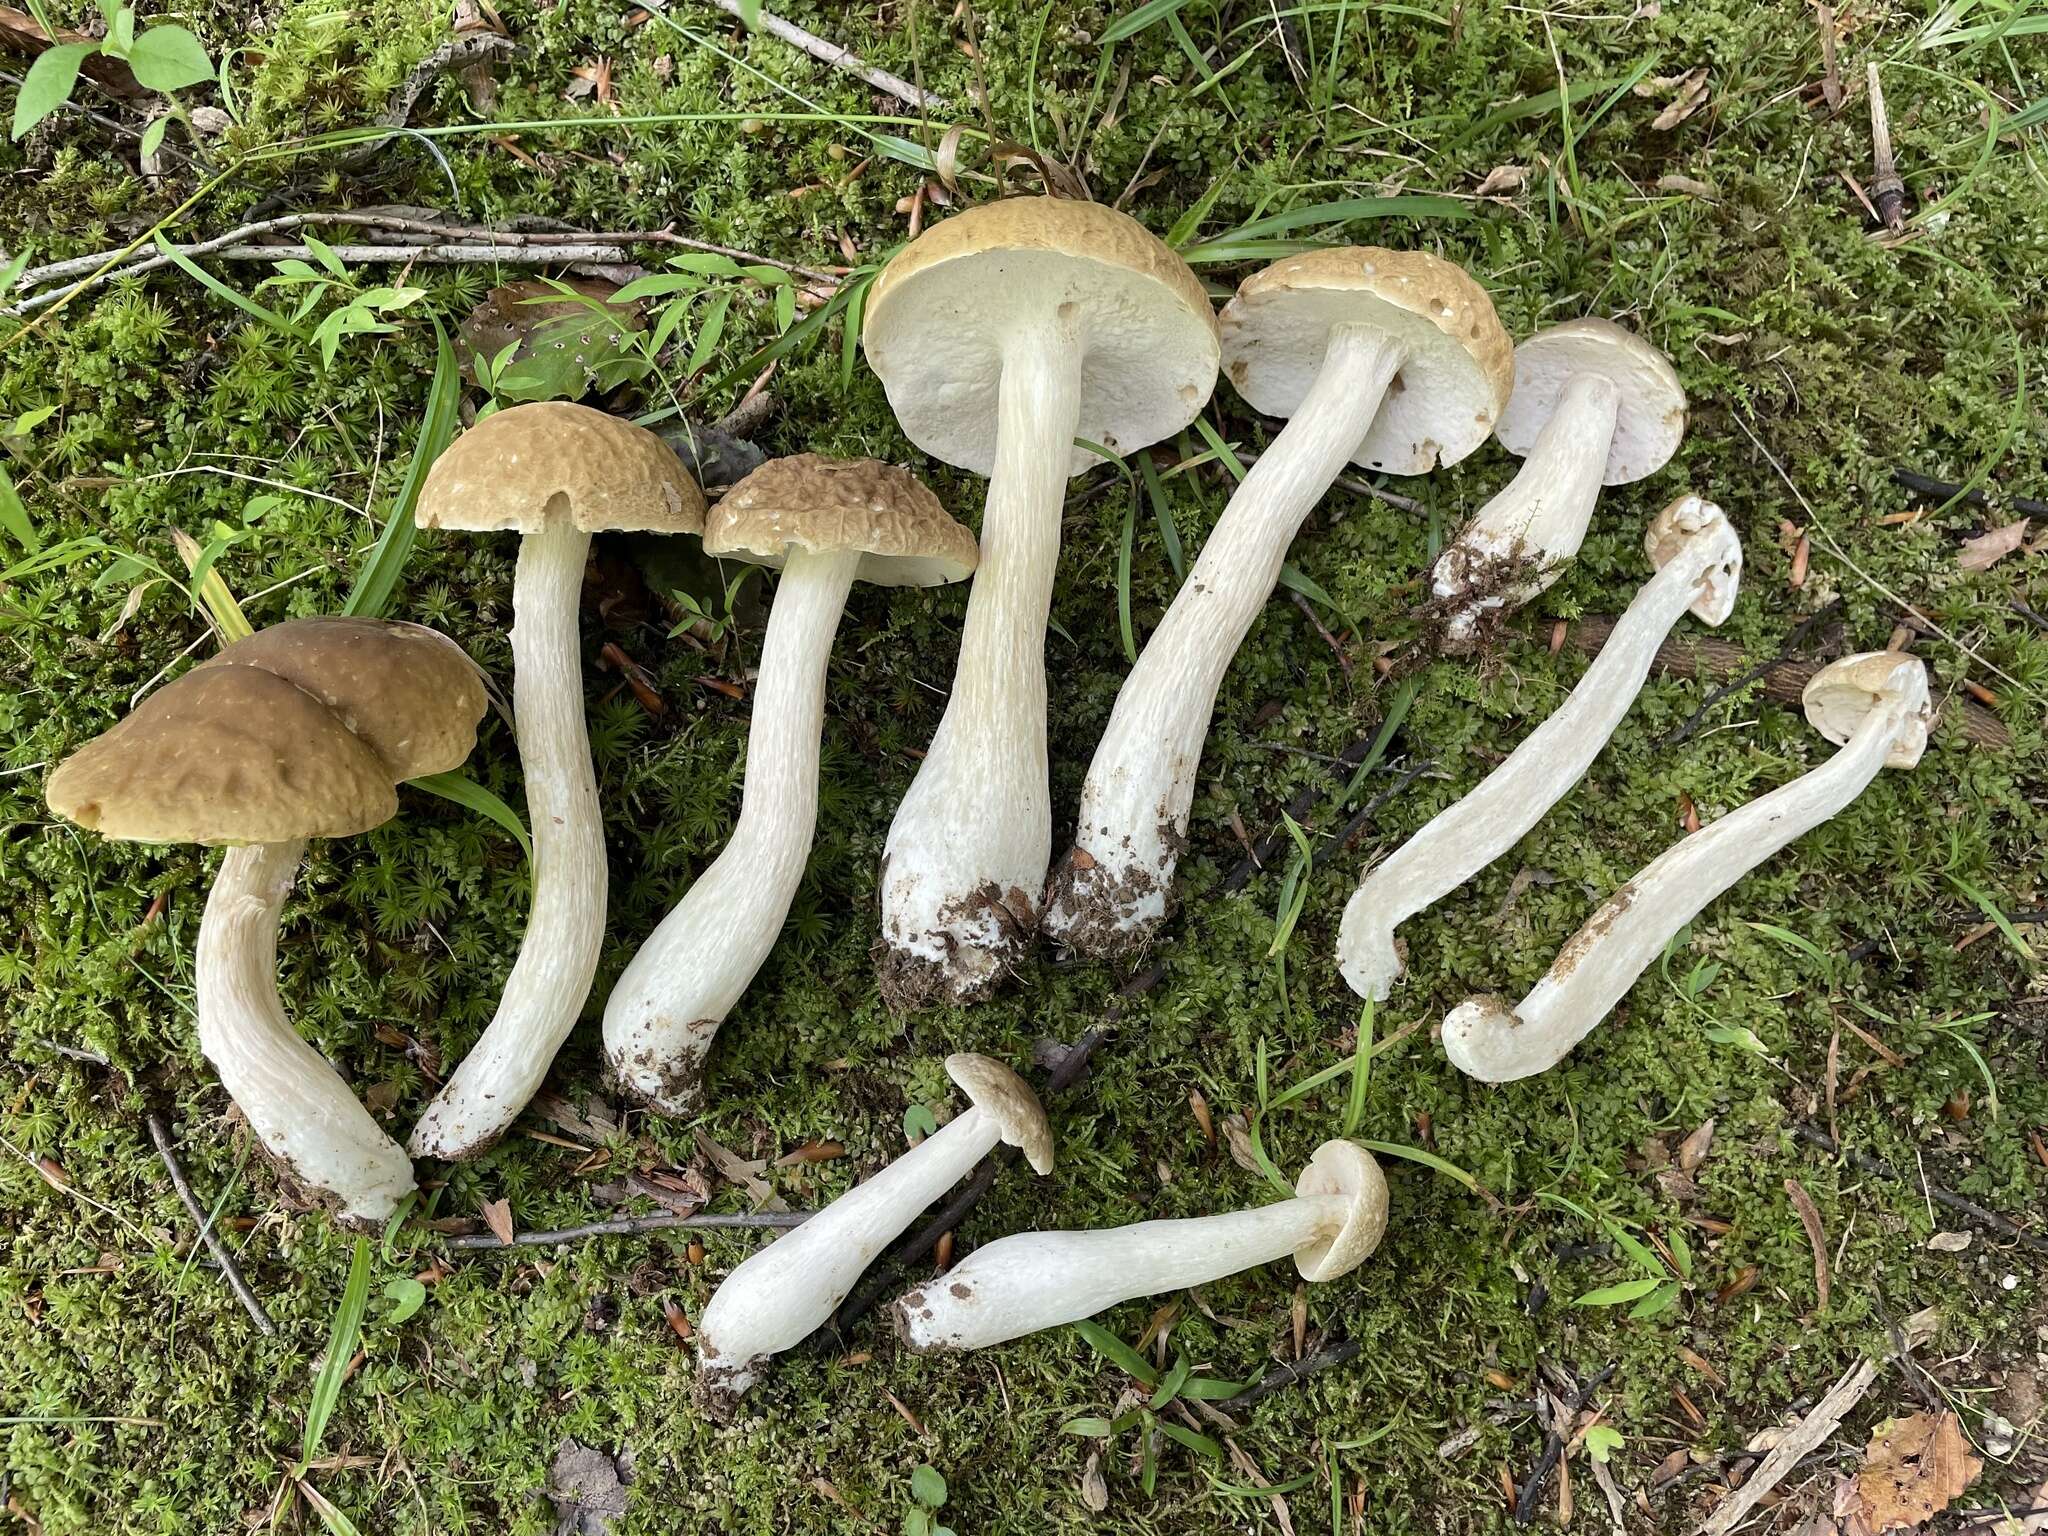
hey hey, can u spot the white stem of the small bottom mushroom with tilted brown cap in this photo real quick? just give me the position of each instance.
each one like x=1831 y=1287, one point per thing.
x=792 y=1287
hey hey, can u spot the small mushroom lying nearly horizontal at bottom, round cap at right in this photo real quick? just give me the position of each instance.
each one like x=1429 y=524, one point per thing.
x=1035 y=1281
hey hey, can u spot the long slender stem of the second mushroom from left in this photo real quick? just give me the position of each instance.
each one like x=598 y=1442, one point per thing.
x=560 y=953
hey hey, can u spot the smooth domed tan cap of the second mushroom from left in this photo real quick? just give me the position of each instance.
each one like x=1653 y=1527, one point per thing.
x=529 y=464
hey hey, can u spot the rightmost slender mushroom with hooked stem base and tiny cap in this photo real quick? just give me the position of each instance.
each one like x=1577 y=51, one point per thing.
x=1875 y=706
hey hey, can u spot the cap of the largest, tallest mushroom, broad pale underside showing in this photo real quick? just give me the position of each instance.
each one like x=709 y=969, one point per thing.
x=941 y=312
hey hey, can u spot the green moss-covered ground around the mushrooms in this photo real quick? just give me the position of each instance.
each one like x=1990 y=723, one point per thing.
x=134 y=1392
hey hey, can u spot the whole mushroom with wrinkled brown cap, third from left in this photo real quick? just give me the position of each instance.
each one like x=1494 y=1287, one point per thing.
x=826 y=523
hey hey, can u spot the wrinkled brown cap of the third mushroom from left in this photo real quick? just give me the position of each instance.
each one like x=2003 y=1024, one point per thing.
x=839 y=507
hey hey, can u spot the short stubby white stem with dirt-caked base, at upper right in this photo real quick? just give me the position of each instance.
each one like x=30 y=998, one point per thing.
x=1539 y=521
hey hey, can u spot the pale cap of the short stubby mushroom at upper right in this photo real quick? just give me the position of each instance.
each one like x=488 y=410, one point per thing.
x=1652 y=421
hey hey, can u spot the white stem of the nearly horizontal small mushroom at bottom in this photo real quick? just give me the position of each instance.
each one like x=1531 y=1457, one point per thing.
x=1035 y=1281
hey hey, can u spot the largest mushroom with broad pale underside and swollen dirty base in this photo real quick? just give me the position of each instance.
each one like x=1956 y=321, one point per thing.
x=1005 y=337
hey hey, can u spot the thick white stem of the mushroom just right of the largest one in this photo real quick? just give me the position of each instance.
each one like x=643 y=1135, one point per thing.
x=1115 y=890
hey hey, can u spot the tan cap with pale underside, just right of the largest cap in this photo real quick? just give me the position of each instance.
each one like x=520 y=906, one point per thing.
x=1453 y=384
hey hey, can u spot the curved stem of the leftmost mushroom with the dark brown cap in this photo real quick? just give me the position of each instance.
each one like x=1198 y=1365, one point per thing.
x=292 y=1097
